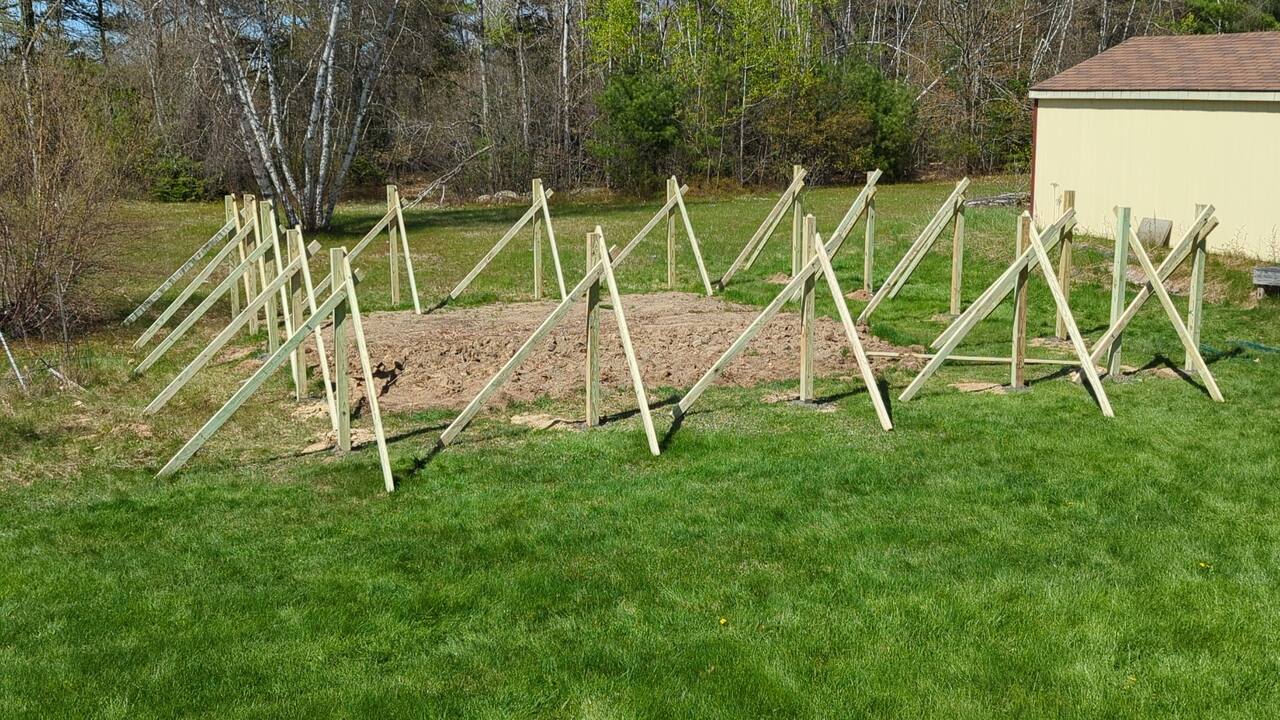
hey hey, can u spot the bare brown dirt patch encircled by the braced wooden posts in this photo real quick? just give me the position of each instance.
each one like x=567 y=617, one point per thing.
x=444 y=359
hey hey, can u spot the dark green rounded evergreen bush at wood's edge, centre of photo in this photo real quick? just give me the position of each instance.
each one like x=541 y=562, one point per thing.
x=639 y=130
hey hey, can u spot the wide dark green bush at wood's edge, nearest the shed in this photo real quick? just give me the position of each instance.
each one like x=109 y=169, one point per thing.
x=849 y=120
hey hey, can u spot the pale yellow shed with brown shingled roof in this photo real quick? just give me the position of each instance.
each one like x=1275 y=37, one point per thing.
x=1160 y=125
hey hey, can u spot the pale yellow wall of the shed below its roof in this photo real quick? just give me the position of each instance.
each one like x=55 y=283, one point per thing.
x=1162 y=158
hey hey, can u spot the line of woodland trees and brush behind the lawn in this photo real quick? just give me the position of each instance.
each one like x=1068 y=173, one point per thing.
x=310 y=101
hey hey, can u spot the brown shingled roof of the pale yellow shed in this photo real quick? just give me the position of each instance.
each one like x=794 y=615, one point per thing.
x=1247 y=62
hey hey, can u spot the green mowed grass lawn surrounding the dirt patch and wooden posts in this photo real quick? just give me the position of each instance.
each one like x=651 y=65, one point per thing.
x=995 y=555
